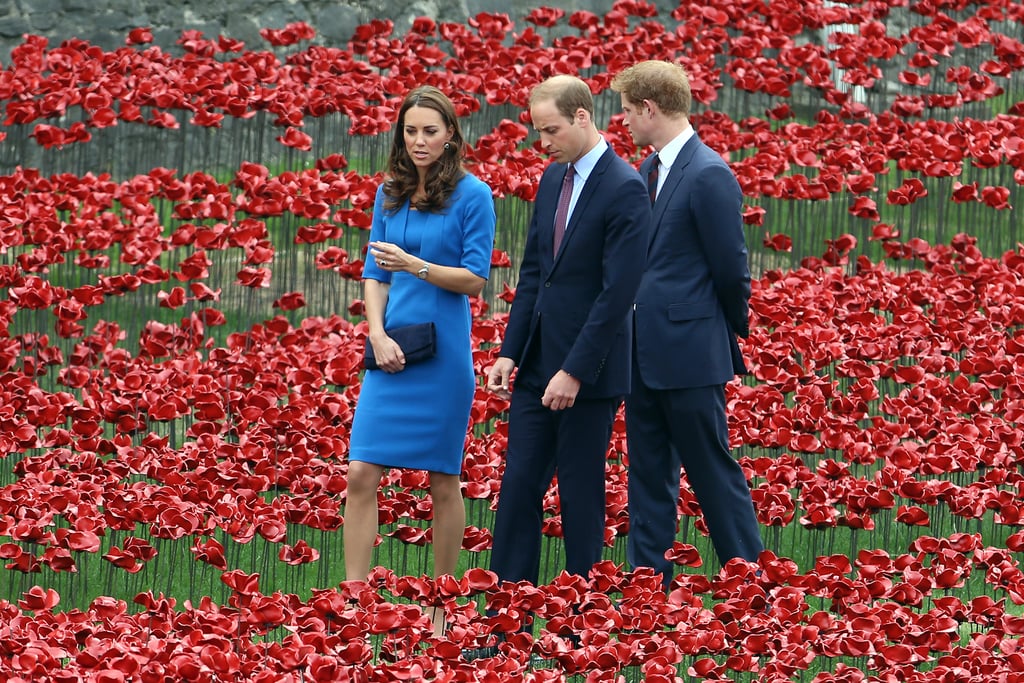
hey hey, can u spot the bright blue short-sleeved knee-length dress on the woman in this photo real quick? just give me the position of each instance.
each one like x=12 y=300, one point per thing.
x=419 y=418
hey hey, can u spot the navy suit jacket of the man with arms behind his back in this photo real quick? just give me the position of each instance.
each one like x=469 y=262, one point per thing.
x=693 y=301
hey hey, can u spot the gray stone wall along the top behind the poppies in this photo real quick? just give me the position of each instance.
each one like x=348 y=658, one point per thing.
x=107 y=23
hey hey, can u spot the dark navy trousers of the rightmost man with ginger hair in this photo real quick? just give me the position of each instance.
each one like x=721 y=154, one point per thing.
x=685 y=429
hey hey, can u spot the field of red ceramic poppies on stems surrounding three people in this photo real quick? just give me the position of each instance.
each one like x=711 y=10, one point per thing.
x=183 y=231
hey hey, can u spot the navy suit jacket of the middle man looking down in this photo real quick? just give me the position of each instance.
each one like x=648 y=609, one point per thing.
x=576 y=306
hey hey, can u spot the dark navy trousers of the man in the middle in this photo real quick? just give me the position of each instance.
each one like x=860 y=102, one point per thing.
x=573 y=443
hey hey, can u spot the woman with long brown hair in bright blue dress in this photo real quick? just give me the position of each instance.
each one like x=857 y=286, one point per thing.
x=431 y=245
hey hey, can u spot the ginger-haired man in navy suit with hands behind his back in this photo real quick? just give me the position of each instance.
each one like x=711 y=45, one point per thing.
x=691 y=307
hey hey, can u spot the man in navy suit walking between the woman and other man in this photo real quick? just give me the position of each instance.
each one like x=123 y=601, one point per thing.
x=568 y=335
